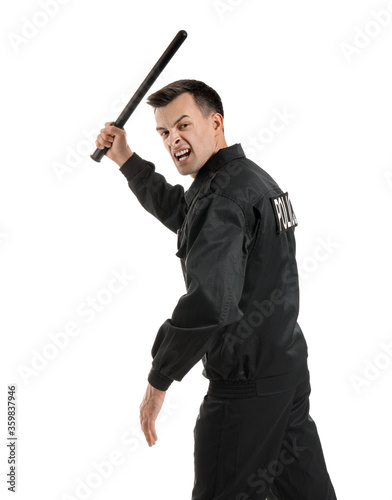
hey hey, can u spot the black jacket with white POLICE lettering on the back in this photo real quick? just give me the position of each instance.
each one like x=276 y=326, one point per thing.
x=236 y=243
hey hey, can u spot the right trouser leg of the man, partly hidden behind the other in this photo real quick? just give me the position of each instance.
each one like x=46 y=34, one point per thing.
x=305 y=476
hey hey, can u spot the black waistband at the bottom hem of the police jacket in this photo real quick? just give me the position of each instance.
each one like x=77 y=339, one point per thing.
x=236 y=389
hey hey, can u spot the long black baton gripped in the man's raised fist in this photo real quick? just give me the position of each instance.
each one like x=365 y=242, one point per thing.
x=143 y=89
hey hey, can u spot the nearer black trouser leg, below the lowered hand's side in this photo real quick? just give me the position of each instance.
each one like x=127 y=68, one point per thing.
x=237 y=444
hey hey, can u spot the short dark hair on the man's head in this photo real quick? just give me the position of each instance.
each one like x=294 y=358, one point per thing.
x=206 y=98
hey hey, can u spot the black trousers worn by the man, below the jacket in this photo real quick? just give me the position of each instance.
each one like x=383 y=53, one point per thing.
x=259 y=447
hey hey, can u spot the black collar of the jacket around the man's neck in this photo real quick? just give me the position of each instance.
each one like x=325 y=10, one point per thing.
x=210 y=167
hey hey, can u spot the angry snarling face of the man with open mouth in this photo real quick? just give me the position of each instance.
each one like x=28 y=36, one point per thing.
x=185 y=130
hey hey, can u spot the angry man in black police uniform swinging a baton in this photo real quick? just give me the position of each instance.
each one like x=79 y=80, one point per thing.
x=254 y=437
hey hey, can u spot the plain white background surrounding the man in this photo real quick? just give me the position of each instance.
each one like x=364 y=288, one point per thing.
x=61 y=236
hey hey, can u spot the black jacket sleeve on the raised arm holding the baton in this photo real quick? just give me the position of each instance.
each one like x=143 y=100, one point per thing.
x=156 y=195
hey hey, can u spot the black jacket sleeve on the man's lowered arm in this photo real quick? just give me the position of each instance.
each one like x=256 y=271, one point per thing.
x=214 y=255
